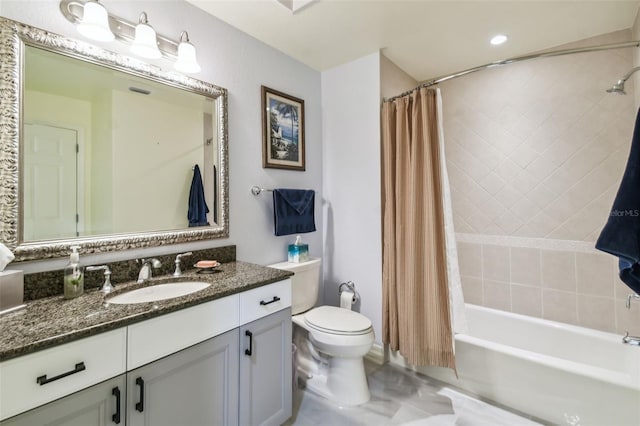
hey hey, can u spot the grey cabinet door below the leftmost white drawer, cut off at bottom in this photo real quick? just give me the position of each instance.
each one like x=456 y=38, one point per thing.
x=99 y=405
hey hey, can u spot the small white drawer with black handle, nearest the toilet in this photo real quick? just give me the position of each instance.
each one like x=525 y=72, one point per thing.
x=264 y=300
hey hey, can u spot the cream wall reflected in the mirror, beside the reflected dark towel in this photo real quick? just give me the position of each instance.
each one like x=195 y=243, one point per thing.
x=158 y=156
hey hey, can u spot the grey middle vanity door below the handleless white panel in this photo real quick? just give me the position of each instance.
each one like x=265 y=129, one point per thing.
x=194 y=387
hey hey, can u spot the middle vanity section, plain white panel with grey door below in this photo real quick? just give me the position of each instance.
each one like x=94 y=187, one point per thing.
x=183 y=367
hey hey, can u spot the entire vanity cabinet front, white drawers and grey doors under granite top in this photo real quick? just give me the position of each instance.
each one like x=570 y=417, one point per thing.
x=224 y=362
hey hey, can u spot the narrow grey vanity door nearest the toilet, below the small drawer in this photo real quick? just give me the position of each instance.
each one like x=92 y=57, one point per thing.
x=265 y=370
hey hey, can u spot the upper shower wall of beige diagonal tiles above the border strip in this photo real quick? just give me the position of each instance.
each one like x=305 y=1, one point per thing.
x=537 y=149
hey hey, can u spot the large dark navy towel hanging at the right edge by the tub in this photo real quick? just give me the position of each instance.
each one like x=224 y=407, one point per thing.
x=621 y=234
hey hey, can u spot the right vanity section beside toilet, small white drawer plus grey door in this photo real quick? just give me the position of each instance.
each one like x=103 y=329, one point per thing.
x=265 y=355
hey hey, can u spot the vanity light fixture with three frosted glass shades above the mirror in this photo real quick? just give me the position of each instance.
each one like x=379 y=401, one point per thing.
x=144 y=40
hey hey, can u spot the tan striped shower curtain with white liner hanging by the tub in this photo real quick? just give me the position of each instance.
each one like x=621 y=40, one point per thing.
x=422 y=295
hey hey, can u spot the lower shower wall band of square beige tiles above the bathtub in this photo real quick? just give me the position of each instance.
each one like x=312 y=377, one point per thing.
x=575 y=286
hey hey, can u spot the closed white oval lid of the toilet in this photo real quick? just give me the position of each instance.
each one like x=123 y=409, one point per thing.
x=337 y=320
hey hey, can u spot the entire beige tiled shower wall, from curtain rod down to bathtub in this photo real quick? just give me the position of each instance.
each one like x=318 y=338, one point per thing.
x=535 y=153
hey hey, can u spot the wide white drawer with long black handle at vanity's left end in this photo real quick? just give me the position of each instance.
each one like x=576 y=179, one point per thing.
x=35 y=379
